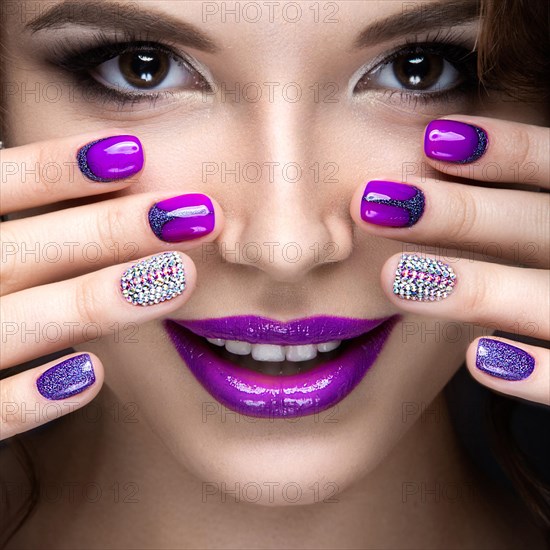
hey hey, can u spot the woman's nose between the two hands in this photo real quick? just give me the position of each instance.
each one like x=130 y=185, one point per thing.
x=296 y=217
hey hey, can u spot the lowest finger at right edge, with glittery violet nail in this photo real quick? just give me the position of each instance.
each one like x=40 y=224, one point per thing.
x=512 y=368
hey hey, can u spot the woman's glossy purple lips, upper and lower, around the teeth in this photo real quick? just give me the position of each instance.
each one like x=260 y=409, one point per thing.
x=260 y=395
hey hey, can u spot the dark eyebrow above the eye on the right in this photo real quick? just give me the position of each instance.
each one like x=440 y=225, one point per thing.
x=423 y=17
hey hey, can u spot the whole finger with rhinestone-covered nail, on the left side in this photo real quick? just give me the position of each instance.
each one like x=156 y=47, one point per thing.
x=45 y=319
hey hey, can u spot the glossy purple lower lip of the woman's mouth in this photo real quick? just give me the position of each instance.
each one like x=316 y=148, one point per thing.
x=260 y=395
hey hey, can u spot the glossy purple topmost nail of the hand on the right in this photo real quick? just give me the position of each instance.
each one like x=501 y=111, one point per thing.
x=452 y=141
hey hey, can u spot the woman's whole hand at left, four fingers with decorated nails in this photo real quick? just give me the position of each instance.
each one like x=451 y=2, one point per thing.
x=61 y=272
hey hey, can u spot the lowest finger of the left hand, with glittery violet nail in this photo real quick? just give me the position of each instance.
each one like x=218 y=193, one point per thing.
x=40 y=395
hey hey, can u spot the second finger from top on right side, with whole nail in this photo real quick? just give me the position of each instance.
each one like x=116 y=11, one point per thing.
x=506 y=224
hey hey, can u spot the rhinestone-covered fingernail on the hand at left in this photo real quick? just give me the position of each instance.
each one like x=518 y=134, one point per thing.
x=154 y=280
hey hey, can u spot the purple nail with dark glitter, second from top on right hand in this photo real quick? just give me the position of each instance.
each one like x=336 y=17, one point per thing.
x=391 y=204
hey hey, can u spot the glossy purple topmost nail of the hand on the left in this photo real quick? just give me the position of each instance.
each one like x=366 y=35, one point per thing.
x=111 y=159
